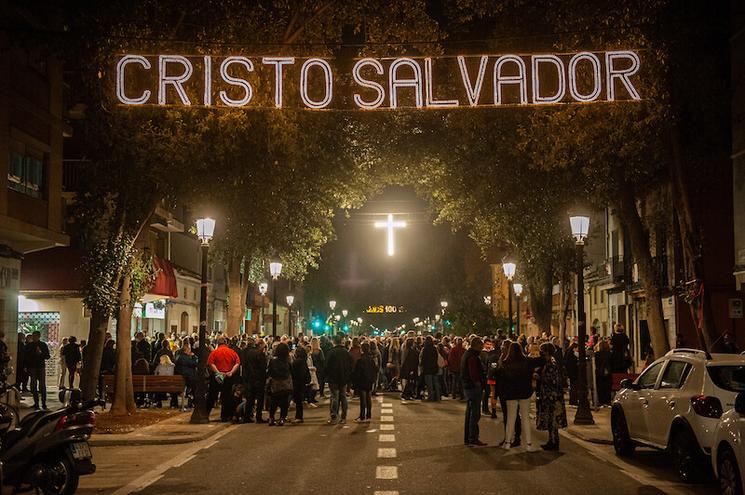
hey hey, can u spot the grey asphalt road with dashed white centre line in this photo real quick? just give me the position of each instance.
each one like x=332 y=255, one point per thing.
x=416 y=449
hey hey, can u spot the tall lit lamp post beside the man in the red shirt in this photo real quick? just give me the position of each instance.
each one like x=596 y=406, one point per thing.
x=205 y=231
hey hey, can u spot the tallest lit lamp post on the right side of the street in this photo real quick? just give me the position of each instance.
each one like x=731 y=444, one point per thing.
x=580 y=226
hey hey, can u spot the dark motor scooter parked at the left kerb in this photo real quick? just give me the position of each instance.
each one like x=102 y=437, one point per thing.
x=49 y=450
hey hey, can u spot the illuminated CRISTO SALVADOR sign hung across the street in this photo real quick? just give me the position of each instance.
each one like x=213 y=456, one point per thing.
x=470 y=81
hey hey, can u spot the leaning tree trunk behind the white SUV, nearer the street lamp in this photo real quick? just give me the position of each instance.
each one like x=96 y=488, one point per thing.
x=639 y=241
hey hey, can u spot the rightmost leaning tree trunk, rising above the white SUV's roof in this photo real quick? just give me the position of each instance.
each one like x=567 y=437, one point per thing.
x=699 y=300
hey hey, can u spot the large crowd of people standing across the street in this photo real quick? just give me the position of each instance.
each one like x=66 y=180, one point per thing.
x=250 y=375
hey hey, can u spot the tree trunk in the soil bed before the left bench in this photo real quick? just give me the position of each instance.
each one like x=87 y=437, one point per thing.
x=124 y=402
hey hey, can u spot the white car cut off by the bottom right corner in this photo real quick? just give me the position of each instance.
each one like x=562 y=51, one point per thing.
x=728 y=454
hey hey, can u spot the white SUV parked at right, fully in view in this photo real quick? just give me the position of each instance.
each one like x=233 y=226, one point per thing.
x=675 y=404
